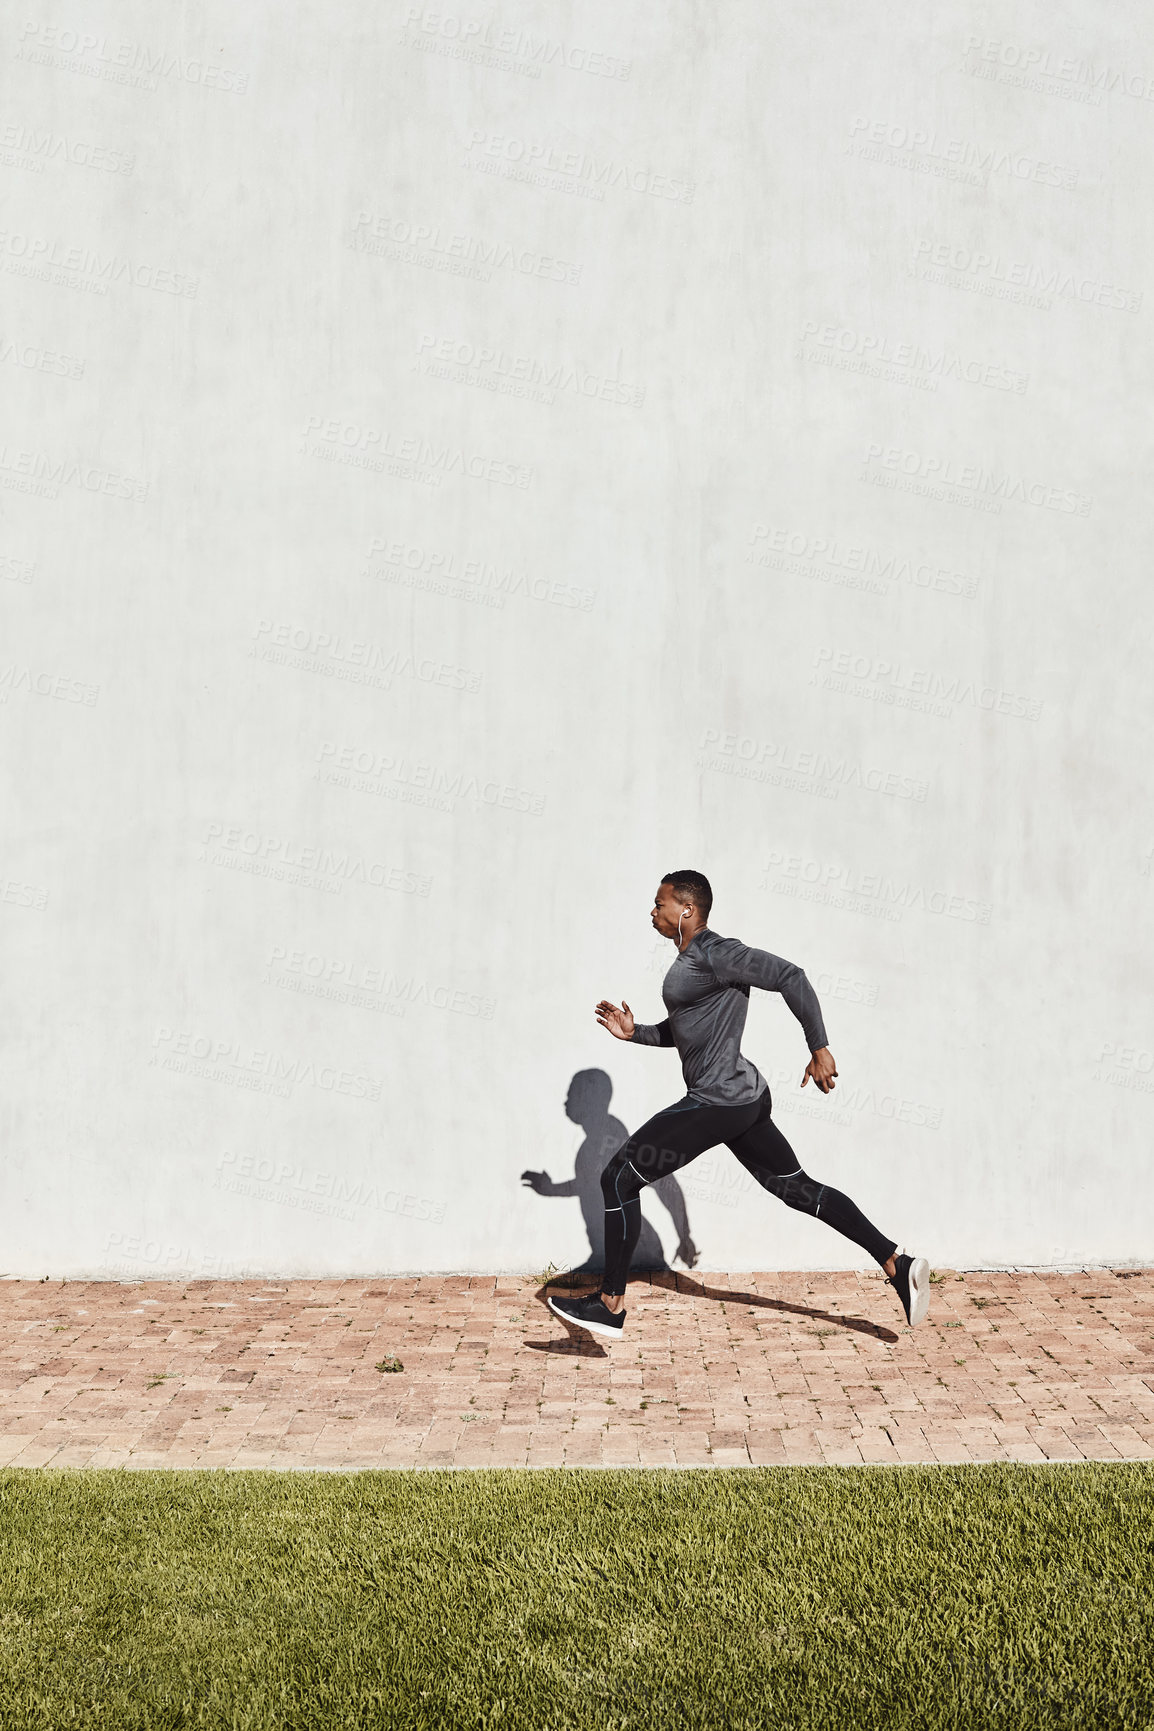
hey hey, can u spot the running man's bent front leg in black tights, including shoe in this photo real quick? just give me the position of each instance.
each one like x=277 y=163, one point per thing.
x=664 y=1145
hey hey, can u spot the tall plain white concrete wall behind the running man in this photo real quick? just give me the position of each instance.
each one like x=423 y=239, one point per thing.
x=458 y=467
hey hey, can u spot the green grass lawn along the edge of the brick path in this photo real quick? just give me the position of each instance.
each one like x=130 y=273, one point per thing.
x=812 y=1597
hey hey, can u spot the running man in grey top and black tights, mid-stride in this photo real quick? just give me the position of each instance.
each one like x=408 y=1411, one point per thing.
x=728 y=1100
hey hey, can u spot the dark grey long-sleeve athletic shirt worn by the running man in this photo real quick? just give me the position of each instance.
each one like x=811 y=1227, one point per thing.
x=707 y=994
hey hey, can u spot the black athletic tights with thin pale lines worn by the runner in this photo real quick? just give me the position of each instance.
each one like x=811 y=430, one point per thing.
x=688 y=1129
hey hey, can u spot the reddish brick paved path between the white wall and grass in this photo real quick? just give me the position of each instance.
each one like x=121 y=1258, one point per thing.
x=714 y=1370
